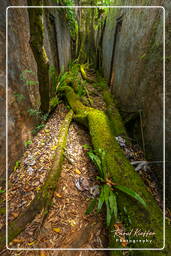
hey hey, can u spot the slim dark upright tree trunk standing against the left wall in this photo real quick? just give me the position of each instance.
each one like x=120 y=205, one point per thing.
x=36 y=43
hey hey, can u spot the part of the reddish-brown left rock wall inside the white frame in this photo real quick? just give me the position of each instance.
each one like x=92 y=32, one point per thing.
x=22 y=68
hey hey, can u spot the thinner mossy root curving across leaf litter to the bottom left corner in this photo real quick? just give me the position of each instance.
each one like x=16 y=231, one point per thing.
x=43 y=198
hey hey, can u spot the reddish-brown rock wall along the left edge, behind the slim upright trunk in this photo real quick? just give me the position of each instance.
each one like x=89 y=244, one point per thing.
x=20 y=96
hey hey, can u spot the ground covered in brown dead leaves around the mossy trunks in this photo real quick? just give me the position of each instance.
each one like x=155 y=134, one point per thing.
x=66 y=225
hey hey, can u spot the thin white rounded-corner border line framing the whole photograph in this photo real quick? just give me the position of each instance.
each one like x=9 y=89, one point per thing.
x=86 y=249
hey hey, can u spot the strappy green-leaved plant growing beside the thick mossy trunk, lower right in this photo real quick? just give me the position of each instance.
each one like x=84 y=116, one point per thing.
x=108 y=194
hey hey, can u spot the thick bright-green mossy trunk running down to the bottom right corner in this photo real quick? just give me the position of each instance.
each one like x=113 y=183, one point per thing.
x=122 y=173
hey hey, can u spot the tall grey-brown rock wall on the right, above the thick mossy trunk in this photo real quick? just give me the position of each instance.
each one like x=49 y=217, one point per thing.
x=133 y=65
